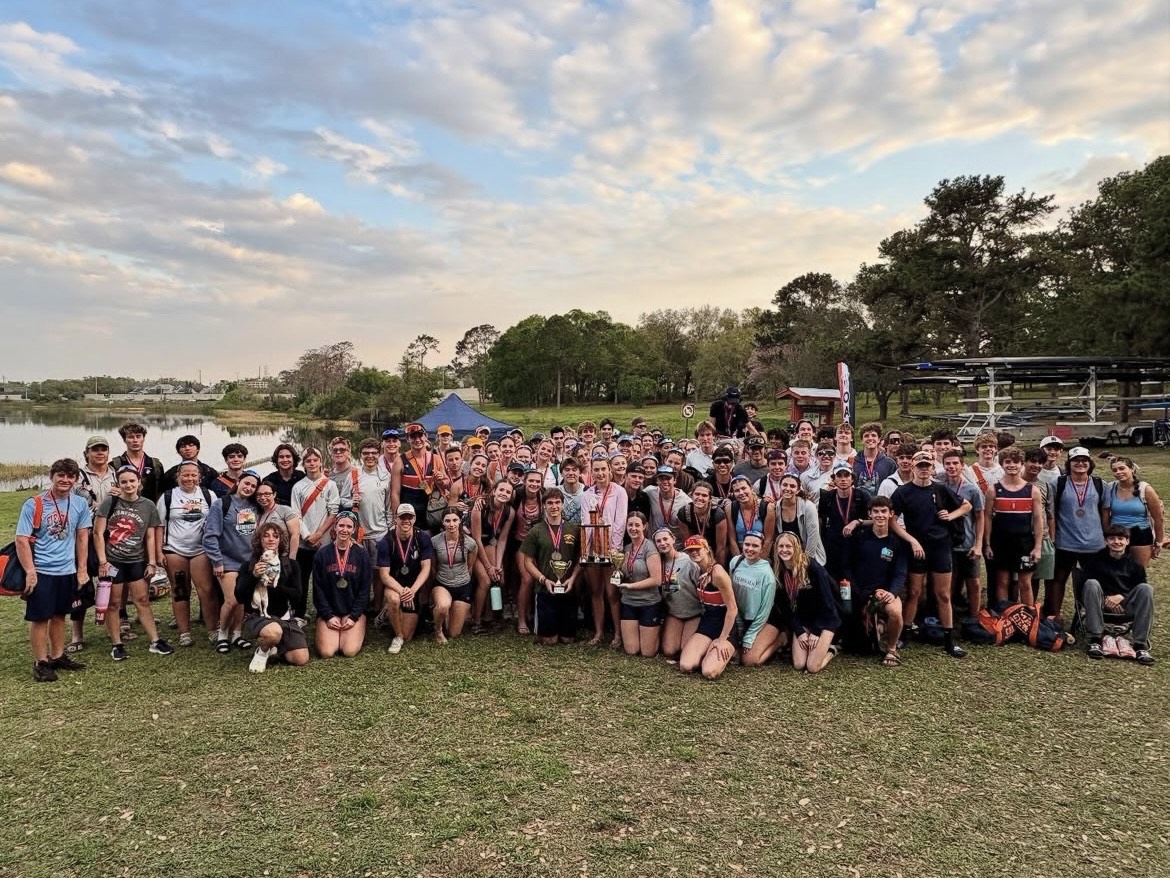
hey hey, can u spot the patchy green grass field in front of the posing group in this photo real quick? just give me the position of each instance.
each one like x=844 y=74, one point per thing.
x=494 y=758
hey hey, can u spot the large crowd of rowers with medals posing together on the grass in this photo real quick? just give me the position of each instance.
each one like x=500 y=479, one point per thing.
x=738 y=544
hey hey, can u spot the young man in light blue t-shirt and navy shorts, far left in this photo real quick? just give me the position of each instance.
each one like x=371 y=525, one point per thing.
x=52 y=547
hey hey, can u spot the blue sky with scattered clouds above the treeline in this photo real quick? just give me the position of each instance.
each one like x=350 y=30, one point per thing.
x=219 y=187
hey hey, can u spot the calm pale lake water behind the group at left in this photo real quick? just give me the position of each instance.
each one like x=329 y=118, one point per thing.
x=44 y=436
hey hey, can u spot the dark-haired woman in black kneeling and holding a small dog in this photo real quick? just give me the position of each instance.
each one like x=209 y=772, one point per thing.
x=267 y=589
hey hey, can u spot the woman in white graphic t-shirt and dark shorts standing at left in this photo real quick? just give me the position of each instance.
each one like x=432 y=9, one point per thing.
x=183 y=512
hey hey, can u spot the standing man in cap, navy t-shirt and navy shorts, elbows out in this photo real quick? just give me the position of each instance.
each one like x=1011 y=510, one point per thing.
x=928 y=509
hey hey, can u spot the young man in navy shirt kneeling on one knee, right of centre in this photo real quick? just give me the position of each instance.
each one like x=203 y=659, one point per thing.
x=878 y=570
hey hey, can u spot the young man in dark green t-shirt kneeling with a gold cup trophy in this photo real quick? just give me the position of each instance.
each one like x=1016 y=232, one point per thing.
x=549 y=557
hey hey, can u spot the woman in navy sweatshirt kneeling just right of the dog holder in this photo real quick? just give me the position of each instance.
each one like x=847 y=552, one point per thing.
x=342 y=575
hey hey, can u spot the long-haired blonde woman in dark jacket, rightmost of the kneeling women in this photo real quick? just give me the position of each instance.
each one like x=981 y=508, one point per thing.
x=807 y=599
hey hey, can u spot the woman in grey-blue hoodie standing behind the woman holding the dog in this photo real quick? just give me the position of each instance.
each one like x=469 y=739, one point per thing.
x=228 y=541
